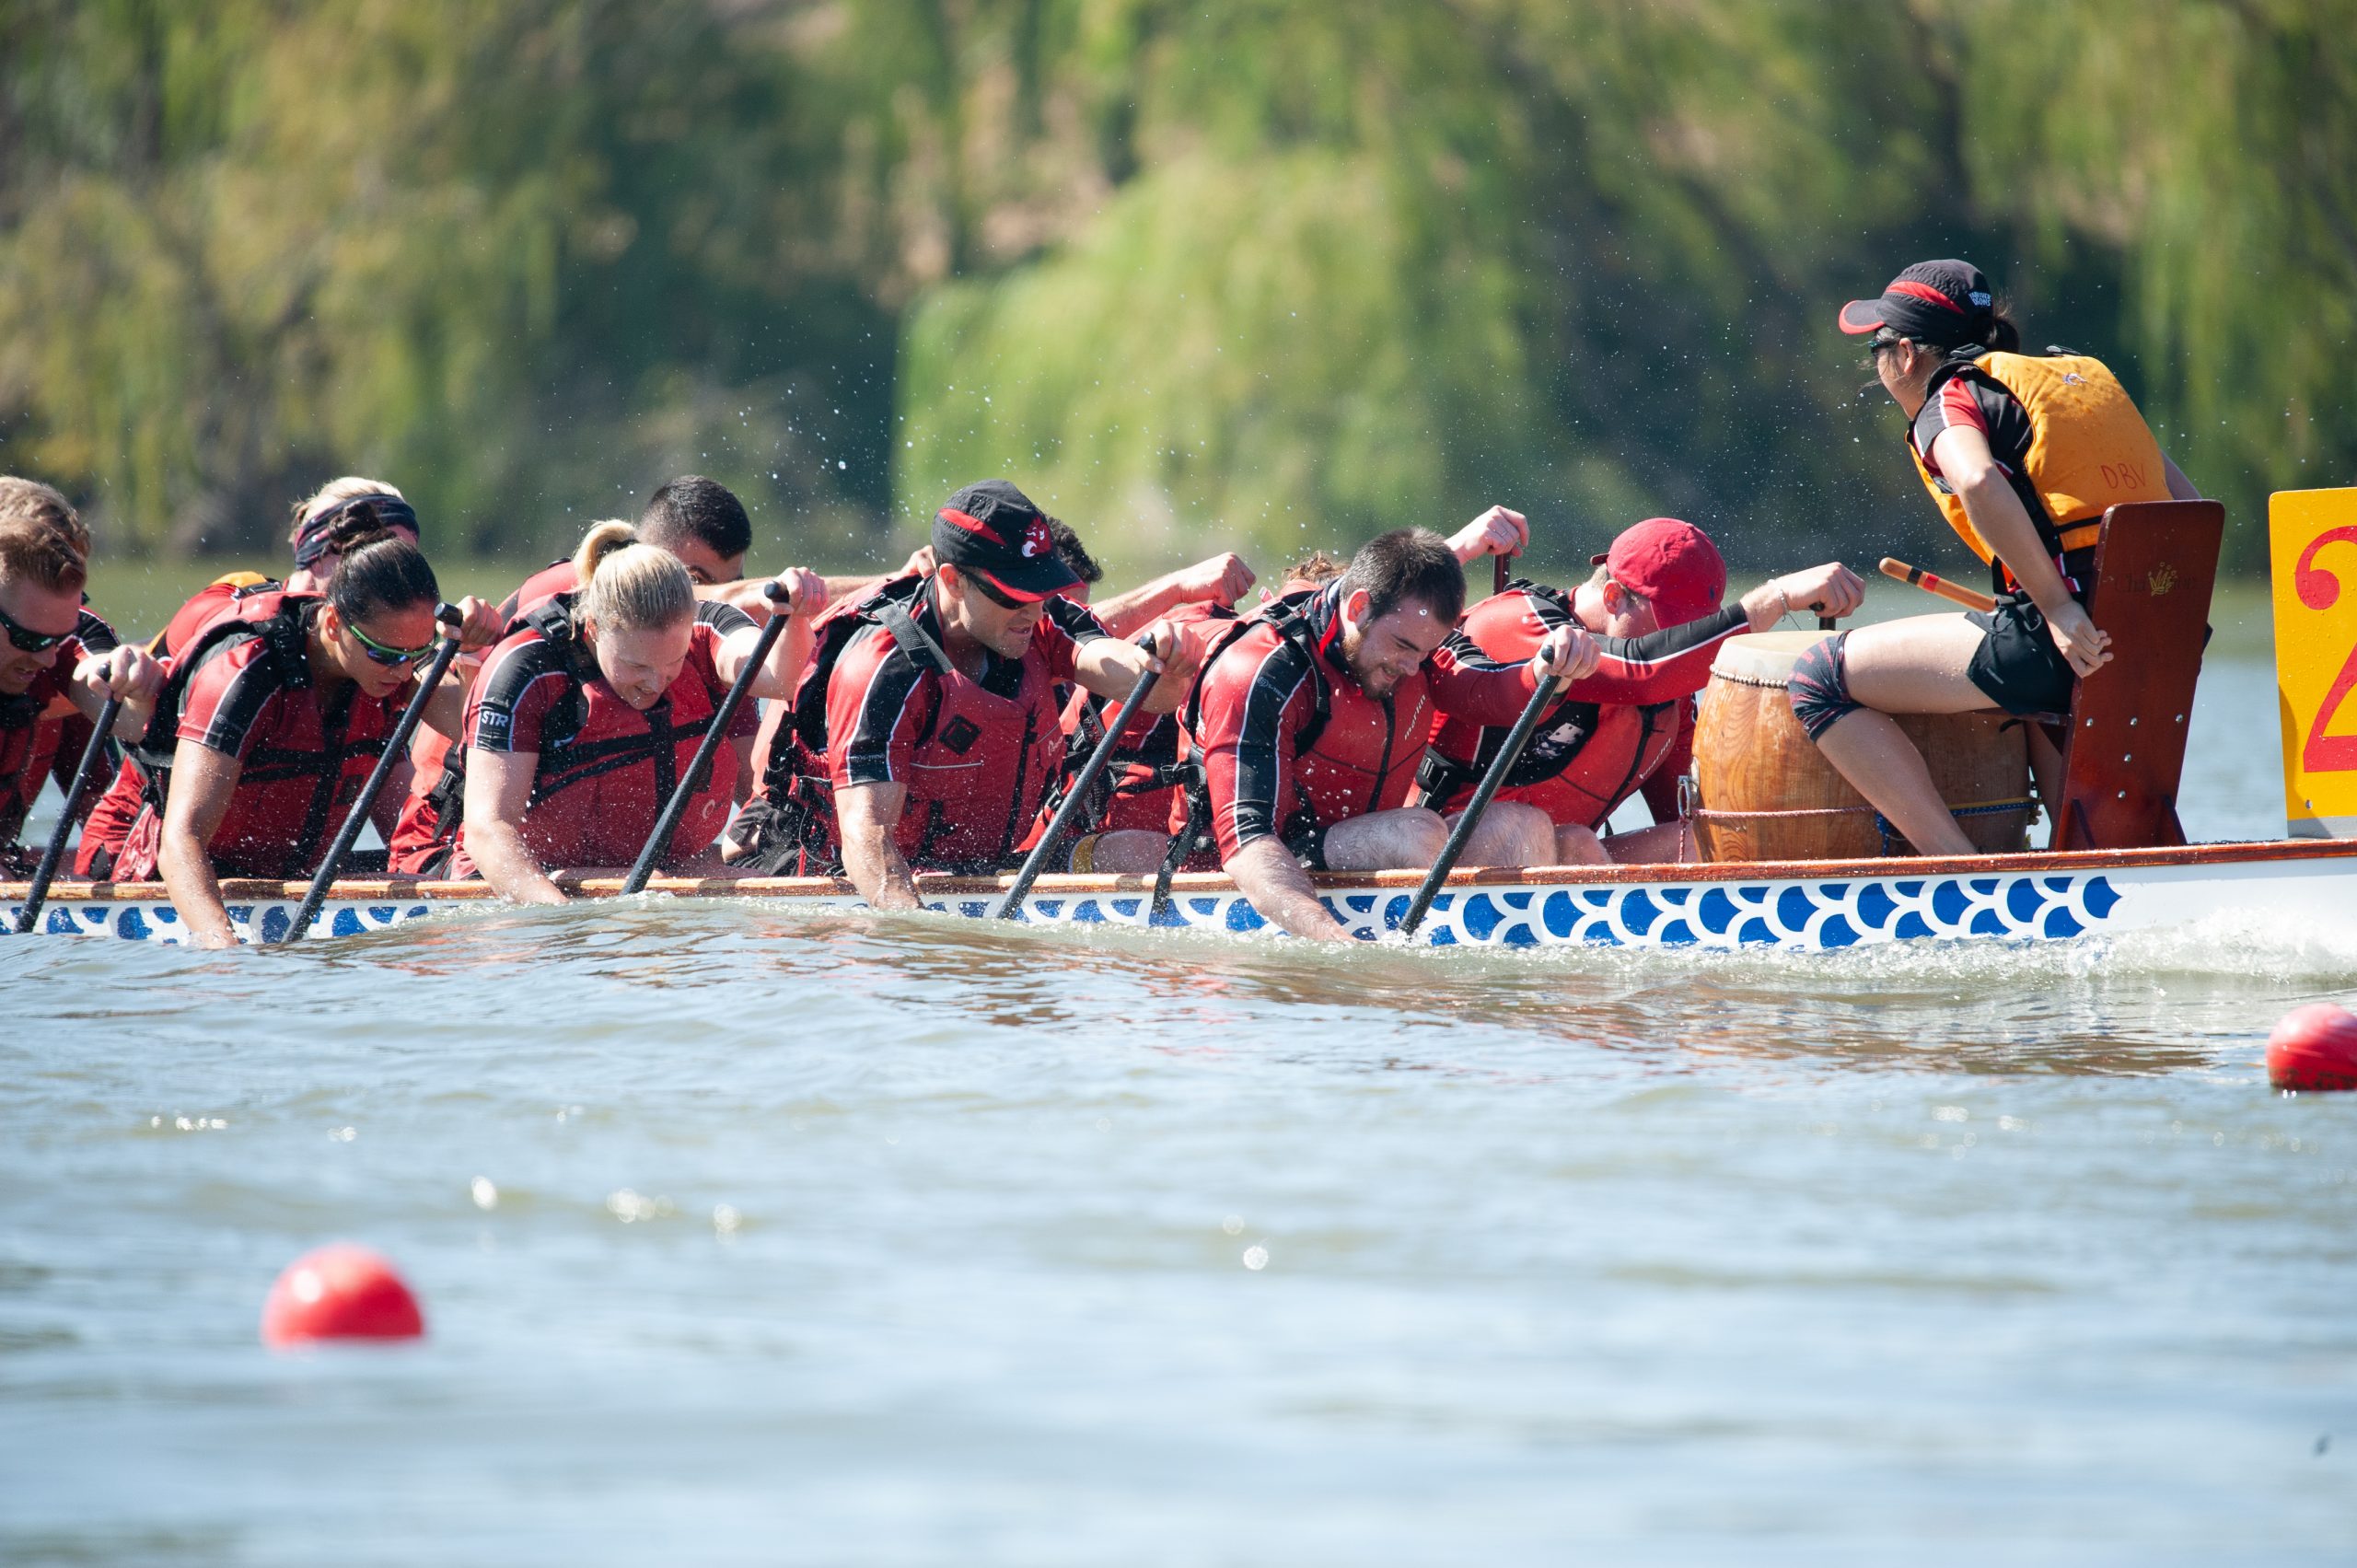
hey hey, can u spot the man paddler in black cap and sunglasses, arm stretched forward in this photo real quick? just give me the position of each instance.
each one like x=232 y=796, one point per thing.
x=930 y=713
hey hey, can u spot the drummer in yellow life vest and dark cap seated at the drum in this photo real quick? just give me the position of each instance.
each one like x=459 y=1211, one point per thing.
x=2023 y=454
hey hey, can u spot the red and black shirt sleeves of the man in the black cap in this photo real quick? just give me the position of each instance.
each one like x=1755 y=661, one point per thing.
x=880 y=699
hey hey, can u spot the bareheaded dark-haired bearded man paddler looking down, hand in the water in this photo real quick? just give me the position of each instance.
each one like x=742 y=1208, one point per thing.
x=1312 y=716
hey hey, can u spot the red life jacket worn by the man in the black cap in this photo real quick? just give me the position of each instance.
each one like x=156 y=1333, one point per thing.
x=979 y=775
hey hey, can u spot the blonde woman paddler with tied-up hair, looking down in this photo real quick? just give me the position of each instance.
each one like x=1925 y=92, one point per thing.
x=583 y=720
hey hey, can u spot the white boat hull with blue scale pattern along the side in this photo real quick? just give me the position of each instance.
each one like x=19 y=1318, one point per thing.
x=1821 y=907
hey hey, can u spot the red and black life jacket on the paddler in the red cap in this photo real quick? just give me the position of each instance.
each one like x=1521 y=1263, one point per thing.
x=1583 y=760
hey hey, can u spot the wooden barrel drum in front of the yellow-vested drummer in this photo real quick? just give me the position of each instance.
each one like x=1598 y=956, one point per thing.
x=1767 y=793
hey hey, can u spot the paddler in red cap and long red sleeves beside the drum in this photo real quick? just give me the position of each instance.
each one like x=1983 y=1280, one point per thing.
x=1656 y=610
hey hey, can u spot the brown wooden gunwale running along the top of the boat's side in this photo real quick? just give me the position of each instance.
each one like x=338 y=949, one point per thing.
x=1203 y=885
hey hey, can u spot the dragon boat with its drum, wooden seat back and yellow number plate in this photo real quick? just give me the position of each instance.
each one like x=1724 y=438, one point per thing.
x=2118 y=862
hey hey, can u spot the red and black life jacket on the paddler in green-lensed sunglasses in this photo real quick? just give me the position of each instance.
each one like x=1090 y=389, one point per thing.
x=289 y=801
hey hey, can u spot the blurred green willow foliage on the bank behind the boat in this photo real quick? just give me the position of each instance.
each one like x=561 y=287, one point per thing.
x=1260 y=272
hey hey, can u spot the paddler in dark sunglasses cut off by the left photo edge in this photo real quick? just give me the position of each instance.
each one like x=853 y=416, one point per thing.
x=58 y=661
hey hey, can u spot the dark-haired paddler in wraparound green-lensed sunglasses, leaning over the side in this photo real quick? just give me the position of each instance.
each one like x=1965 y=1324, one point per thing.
x=268 y=727
